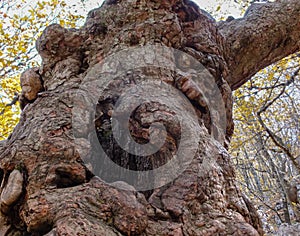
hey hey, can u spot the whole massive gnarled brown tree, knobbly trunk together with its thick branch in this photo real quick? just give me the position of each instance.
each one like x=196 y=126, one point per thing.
x=127 y=134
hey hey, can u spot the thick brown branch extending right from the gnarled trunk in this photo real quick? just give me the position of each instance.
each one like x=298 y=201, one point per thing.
x=267 y=33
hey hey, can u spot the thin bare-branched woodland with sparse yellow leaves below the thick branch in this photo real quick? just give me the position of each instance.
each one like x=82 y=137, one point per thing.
x=266 y=140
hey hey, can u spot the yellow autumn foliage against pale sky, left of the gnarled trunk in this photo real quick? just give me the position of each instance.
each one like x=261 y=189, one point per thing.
x=22 y=22
